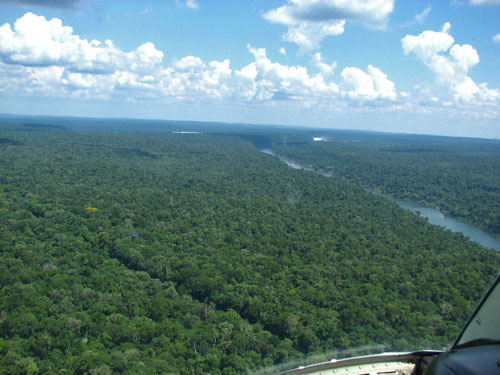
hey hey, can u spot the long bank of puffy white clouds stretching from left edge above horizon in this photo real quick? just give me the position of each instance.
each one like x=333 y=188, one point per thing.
x=46 y=58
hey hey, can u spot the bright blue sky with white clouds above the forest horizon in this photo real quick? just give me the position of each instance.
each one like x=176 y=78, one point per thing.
x=387 y=65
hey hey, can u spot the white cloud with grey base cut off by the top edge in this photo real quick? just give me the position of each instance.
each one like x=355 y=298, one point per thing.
x=310 y=21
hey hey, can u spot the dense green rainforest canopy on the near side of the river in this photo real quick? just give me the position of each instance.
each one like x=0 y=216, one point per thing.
x=154 y=252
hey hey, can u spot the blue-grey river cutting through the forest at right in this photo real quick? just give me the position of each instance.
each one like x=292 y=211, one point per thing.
x=432 y=215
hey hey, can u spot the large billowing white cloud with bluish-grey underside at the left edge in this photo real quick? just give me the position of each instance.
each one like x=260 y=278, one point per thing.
x=36 y=41
